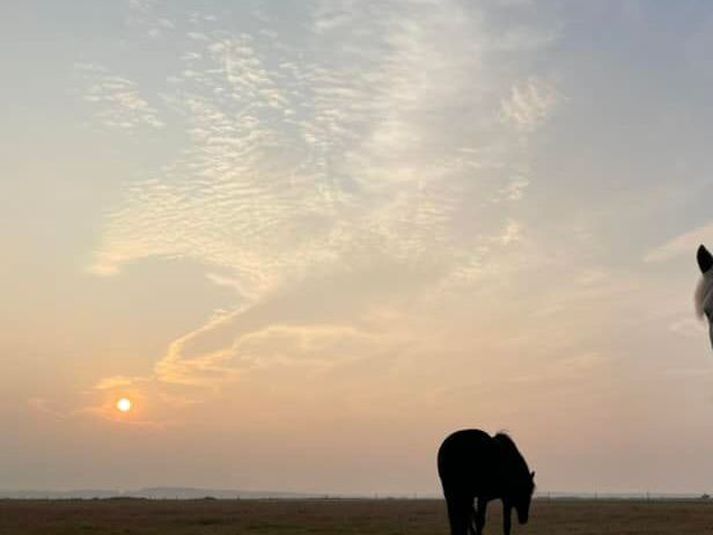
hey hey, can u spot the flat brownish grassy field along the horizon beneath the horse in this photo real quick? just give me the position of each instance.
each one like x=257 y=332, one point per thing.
x=378 y=517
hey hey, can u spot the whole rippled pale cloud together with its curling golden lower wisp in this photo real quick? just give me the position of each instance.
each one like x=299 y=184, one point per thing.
x=372 y=133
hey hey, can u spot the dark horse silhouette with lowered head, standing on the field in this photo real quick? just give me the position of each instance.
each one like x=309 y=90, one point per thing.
x=473 y=465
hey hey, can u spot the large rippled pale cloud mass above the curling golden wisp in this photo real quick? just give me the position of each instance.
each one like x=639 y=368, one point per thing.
x=299 y=159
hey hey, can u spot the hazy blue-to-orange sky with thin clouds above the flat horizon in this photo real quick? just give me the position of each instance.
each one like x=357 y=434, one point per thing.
x=310 y=239
